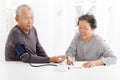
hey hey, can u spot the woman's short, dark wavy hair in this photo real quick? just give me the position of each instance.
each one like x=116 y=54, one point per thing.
x=90 y=19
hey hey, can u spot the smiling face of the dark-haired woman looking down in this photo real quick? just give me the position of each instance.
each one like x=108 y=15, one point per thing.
x=85 y=30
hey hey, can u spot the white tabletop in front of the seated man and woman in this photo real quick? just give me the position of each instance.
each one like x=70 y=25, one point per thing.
x=23 y=71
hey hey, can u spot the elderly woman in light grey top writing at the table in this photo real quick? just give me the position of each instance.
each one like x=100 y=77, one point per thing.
x=87 y=46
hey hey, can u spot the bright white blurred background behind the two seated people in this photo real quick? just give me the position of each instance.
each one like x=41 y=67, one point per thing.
x=56 y=22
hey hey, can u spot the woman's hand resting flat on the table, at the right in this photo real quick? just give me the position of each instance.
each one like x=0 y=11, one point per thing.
x=89 y=64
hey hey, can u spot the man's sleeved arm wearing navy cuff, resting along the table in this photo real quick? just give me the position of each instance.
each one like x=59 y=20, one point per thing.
x=26 y=56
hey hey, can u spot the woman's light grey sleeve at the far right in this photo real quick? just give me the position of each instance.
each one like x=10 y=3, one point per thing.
x=107 y=54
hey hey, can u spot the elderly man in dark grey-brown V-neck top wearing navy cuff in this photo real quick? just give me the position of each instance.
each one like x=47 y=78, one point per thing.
x=23 y=43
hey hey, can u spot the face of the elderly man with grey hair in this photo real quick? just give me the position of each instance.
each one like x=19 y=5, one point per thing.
x=25 y=19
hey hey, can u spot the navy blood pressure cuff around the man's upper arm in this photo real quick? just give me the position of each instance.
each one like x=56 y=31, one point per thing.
x=21 y=49
